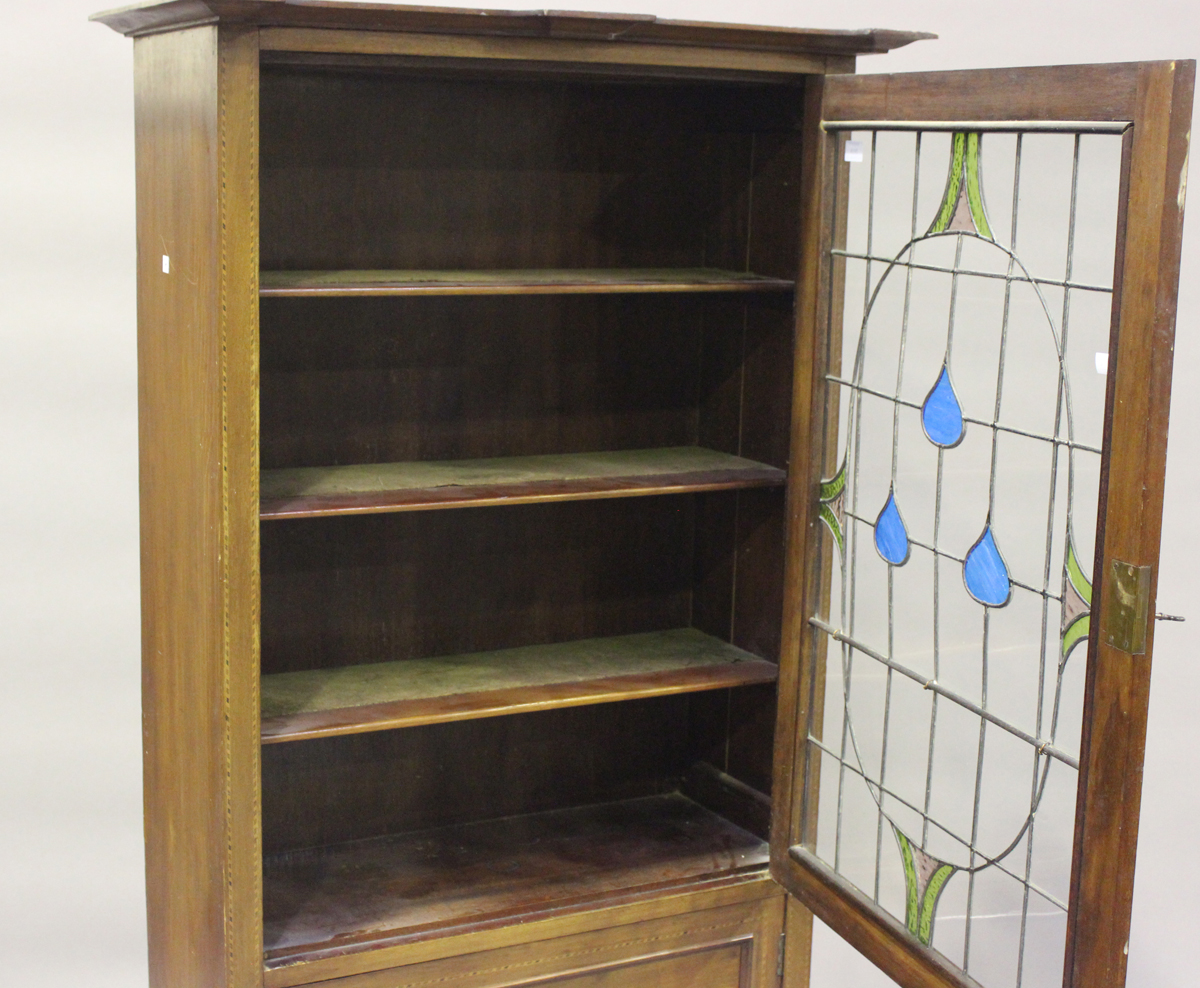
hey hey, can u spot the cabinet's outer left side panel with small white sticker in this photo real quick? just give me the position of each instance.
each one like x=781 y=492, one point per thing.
x=179 y=394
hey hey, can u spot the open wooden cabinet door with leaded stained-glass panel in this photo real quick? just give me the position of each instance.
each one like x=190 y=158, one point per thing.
x=985 y=369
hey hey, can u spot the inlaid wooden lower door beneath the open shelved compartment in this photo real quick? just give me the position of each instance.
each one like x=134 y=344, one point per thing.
x=735 y=947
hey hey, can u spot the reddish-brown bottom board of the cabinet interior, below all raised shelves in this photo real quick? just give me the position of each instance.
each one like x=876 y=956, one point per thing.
x=337 y=900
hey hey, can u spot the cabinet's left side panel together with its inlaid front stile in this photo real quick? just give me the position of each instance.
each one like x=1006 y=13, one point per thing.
x=196 y=99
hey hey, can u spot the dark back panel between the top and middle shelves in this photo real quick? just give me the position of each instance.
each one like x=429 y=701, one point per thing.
x=362 y=381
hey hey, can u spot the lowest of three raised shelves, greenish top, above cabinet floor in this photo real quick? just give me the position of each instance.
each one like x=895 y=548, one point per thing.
x=403 y=694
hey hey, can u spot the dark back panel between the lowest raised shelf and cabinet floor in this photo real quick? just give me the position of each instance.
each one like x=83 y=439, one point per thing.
x=356 y=787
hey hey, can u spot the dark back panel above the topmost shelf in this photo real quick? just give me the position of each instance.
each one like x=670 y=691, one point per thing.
x=387 y=171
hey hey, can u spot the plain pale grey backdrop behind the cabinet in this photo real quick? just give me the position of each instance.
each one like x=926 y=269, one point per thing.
x=71 y=907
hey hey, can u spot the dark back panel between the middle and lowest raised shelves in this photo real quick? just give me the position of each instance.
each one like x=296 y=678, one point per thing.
x=368 y=589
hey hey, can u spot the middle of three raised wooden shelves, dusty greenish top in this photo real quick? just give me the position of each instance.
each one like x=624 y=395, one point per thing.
x=373 y=488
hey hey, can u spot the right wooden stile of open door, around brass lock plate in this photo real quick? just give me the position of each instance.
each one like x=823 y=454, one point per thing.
x=1117 y=696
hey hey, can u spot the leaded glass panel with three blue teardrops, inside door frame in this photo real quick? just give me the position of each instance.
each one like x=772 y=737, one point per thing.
x=971 y=400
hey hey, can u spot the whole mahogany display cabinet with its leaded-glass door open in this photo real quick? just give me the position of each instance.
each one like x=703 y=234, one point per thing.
x=614 y=489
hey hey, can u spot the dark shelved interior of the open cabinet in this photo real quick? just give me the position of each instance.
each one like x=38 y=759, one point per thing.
x=574 y=298
